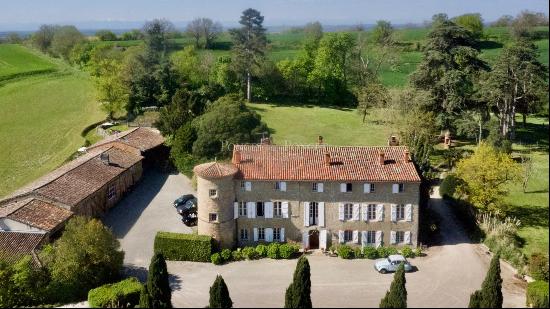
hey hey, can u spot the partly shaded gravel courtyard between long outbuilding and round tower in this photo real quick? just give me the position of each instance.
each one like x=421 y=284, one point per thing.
x=146 y=210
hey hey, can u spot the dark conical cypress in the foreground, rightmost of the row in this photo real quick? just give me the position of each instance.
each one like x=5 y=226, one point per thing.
x=491 y=289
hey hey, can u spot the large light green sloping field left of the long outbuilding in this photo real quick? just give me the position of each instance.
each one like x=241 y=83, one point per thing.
x=43 y=116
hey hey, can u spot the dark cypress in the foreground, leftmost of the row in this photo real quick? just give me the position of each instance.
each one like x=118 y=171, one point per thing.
x=157 y=283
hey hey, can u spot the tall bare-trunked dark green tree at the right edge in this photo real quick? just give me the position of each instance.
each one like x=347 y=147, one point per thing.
x=517 y=82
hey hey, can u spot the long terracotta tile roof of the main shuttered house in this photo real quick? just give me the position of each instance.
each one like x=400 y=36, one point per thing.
x=347 y=163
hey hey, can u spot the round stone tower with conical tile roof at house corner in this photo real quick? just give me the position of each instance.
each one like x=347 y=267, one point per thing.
x=215 y=197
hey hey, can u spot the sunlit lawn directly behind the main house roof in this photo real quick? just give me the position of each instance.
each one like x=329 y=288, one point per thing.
x=298 y=124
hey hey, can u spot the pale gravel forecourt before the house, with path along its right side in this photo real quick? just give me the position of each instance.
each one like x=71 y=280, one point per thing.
x=445 y=278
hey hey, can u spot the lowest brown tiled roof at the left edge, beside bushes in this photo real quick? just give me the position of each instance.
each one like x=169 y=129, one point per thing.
x=15 y=245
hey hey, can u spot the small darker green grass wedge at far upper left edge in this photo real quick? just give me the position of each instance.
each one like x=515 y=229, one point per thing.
x=16 y=60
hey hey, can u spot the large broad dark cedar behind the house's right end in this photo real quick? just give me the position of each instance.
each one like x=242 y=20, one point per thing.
x=449 y=70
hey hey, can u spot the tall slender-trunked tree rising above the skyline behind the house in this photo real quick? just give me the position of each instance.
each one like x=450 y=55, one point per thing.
x=249 y=43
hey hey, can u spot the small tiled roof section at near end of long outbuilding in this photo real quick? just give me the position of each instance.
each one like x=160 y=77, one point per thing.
x=41 y=214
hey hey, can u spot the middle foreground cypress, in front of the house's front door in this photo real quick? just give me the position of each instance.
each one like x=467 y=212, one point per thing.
x=298 y=294
